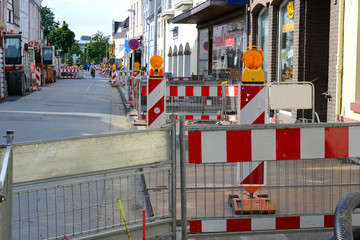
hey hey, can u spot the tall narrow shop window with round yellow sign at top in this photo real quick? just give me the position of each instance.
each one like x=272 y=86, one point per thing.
x=286 y=41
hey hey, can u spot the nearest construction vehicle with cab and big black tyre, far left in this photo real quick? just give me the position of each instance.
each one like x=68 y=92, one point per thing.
x=15 y=64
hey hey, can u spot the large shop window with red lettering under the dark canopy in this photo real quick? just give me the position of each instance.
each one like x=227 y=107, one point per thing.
x=227 y=50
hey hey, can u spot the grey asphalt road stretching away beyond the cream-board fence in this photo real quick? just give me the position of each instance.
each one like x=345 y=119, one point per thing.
x=67 y=108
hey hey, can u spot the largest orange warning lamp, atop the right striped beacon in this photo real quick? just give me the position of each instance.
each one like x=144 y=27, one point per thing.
x=253 y=58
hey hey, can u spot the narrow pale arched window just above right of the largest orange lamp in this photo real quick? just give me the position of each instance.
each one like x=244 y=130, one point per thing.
x=263 y=35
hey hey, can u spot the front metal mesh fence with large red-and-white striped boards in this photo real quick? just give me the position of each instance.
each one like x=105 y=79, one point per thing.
x=309 y=168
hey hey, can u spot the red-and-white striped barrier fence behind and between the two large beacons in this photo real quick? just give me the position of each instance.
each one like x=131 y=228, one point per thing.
x=197 y=101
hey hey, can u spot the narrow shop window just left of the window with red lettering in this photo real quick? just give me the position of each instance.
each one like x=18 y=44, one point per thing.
x=203 y=54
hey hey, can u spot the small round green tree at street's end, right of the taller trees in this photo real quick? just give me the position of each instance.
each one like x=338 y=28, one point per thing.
x=98 y=48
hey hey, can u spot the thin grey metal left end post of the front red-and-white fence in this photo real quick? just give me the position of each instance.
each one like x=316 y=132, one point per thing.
x=183 y=179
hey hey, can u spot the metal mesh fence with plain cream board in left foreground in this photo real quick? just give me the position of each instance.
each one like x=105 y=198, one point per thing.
x=73 y=187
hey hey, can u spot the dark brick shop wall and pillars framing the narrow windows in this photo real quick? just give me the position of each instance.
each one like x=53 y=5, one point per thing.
x=310 y=46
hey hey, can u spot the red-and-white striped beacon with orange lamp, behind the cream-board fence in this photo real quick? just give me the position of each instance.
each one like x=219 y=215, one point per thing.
x=156 y=91
